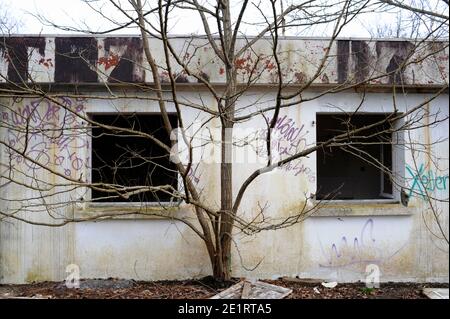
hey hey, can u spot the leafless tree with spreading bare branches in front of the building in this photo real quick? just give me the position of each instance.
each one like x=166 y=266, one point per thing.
x=242 y=66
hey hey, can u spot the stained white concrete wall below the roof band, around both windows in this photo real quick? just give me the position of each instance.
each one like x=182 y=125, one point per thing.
x=337 y=243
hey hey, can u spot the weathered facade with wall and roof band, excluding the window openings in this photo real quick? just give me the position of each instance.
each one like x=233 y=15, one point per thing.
x=336 y=245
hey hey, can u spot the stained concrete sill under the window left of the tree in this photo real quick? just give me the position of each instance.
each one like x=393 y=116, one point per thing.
x=128 y=211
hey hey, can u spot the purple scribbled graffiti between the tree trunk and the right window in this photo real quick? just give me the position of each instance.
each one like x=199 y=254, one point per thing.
x=287 y=139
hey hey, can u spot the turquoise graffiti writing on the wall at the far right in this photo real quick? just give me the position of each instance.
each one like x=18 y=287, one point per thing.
x=425 y=181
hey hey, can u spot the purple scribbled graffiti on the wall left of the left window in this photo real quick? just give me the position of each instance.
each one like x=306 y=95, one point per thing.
x=43 y=134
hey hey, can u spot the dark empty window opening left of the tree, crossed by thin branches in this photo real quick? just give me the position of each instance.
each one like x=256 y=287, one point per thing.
x=127 y=159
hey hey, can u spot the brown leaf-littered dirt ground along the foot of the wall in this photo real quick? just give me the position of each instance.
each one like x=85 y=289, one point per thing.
x=205 y=288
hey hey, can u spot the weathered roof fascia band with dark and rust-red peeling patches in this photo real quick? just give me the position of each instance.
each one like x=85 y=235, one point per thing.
x=120 y=59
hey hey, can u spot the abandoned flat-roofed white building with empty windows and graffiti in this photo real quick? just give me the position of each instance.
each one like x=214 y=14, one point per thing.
x=397 y=223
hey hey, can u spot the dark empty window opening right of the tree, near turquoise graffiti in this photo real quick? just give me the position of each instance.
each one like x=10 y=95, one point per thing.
x=343 y=175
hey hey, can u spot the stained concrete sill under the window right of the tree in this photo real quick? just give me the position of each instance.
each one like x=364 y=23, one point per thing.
x=362 y=207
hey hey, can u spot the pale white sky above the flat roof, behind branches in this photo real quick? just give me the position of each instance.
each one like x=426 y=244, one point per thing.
x=77 y=13
